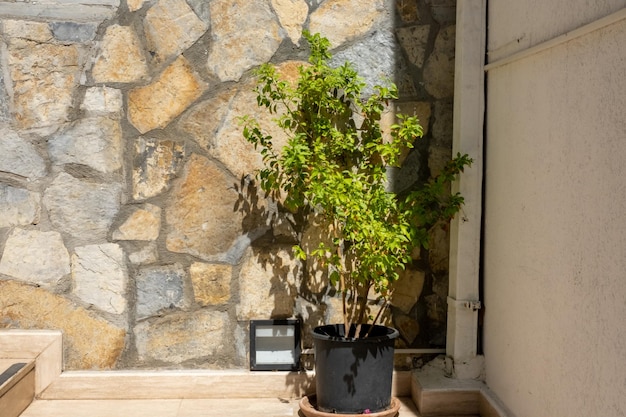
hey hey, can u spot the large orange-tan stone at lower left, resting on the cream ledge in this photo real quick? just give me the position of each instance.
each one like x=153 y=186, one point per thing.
x=89 y=341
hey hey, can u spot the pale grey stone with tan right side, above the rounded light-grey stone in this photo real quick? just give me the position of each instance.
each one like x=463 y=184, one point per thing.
x=95 y=142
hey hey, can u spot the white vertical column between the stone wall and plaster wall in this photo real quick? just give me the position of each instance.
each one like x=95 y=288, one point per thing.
x=465 y=233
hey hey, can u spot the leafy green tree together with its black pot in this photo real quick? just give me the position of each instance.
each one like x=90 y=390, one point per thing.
x=334 y=169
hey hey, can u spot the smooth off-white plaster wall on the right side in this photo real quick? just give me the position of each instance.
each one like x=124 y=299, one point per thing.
x=555 y=224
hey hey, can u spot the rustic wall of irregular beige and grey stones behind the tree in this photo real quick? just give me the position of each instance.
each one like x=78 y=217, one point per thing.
x=128 y=214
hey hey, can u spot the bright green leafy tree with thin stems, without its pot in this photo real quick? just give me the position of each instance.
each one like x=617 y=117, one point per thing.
x=334 y=166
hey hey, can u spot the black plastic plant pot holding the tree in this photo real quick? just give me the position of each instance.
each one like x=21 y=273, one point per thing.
x=353 y=375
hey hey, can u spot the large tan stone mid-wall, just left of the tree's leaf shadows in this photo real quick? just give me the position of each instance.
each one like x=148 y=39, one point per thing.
x=201 y=214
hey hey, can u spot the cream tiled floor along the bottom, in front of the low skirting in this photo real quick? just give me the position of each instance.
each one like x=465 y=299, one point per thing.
x=267 y=407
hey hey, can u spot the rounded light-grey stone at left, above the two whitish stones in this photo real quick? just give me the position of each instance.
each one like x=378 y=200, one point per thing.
x=83 y=209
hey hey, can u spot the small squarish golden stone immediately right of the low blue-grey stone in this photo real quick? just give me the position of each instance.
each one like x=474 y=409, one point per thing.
x=211 y=283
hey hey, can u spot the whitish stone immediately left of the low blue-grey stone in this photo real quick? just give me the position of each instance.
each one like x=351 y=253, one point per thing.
x=100 y=276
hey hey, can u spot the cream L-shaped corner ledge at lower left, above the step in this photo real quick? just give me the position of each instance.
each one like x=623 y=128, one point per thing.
x=44 y=347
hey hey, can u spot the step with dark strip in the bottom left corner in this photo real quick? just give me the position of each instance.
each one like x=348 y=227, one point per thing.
x=17 y=385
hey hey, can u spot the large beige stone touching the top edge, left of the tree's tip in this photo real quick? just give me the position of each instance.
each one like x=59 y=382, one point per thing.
x=245 y=34
